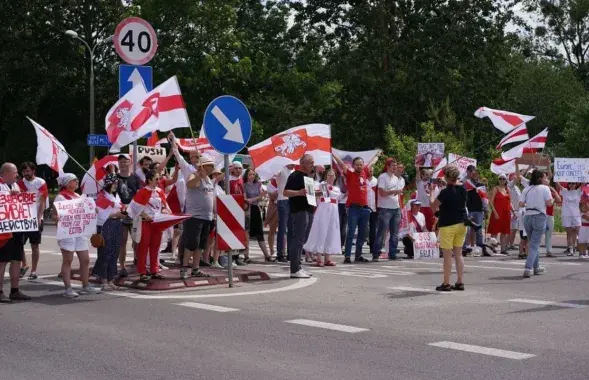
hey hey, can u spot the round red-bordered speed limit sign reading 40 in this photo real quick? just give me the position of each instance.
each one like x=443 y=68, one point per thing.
x=135 y=41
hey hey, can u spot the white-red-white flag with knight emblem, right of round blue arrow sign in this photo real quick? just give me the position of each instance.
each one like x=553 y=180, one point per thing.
x=286 y=148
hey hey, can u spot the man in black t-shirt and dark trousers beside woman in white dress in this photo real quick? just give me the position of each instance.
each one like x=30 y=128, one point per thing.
x=300 y=214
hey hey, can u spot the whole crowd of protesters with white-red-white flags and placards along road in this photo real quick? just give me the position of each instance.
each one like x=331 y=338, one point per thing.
x=317 y=203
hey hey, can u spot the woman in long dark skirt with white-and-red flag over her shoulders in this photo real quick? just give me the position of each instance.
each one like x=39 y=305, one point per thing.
x=110 y=226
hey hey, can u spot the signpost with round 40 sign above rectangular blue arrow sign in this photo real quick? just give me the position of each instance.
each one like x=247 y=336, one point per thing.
x=136 y=43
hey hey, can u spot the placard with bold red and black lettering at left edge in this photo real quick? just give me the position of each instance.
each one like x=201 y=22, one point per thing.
x=18 y=212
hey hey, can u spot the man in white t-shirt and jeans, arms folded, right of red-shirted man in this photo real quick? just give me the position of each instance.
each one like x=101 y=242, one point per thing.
x=389 y=213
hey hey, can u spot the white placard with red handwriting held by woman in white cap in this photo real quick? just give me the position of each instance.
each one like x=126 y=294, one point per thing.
x=77 y=218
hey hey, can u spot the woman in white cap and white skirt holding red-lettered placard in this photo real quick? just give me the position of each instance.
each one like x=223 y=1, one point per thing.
x=68 y=184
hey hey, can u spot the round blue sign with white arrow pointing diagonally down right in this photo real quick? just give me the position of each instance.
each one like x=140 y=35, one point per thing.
x=227 y=124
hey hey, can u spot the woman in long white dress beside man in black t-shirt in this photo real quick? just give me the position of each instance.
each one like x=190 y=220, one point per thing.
x=324 y=237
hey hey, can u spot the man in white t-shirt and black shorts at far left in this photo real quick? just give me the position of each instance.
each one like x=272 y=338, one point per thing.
x=33 y=184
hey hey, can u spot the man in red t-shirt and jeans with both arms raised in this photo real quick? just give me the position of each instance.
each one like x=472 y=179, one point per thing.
x=359 y=211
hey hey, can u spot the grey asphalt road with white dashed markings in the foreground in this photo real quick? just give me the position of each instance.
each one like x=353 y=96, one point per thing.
x=365 y=321
